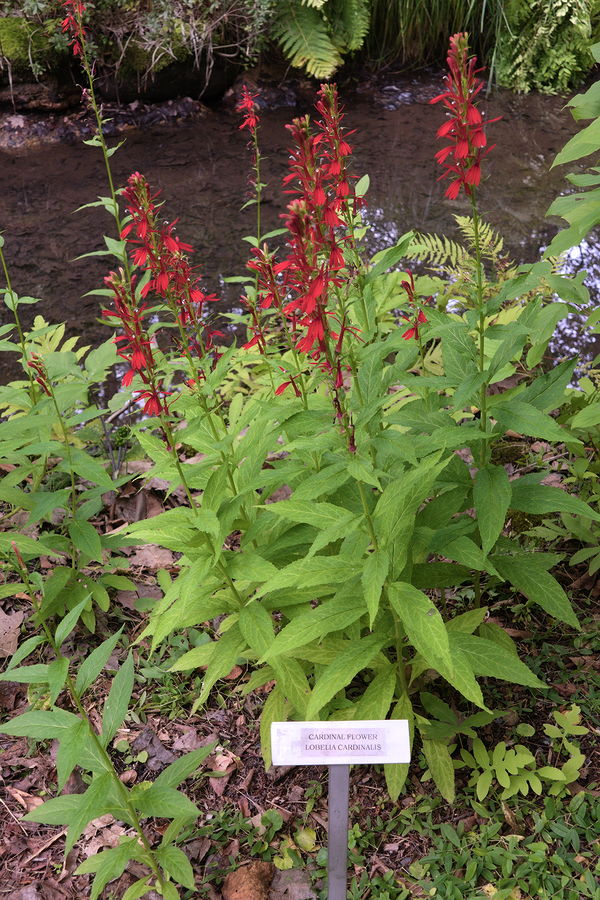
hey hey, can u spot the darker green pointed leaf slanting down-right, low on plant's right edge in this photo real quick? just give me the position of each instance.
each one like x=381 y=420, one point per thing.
x=530 y=577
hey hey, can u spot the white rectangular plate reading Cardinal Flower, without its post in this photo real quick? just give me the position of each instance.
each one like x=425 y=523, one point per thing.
x=340 y=743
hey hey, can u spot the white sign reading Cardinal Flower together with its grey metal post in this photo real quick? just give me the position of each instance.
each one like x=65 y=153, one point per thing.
x=339 y=745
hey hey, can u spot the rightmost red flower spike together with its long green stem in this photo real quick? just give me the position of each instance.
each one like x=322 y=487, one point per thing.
x=461 y=159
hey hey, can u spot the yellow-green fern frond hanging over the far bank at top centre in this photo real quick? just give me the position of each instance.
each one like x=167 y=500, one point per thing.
x=303 y=35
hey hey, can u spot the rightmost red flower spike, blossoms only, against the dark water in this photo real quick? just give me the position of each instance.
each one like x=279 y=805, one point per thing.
x=465 y=127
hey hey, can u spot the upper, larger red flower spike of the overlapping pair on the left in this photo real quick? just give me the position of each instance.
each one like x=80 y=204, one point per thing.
x=156 y=248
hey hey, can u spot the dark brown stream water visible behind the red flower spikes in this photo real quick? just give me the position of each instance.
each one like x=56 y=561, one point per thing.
x=201 y=169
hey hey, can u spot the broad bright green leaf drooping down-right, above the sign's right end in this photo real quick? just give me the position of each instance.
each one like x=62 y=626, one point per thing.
x=423 y=625
